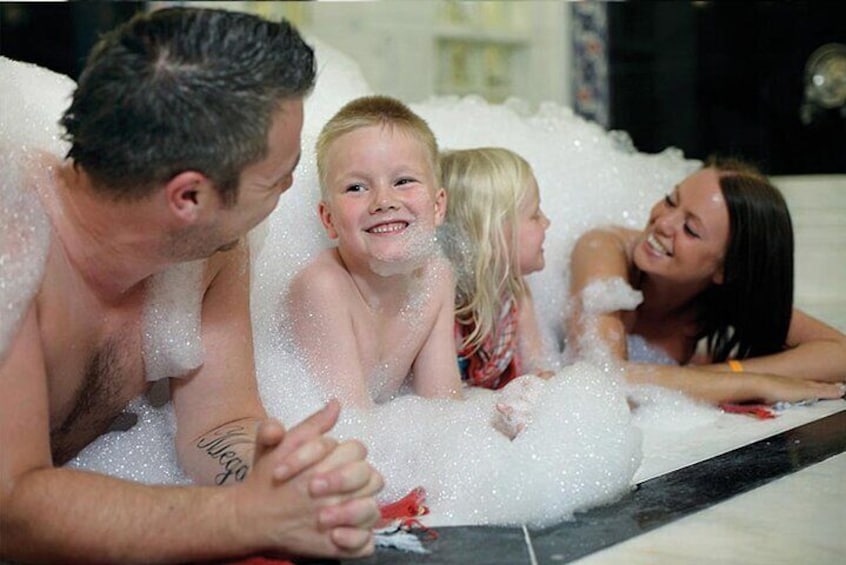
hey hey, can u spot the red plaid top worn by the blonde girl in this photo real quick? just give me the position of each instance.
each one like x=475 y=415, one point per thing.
x=497 y=361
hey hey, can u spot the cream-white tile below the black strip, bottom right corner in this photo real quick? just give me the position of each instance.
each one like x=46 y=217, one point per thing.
x=800 y=518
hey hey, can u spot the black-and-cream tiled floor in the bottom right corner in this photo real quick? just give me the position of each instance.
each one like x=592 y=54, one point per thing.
x=778 y=500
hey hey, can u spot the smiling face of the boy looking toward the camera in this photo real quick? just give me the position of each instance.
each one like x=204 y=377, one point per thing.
x=383 y=202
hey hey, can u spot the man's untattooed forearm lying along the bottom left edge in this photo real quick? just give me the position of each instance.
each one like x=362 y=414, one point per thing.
x=64 y=515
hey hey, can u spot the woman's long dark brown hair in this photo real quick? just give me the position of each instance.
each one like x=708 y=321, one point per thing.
x=749 y=314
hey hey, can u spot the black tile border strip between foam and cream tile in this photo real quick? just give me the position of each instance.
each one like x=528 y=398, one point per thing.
x=650 y=505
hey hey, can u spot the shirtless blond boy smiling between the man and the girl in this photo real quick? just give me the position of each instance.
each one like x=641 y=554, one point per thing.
x=376 y=311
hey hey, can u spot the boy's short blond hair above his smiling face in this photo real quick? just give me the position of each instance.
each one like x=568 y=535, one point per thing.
x=374 y=111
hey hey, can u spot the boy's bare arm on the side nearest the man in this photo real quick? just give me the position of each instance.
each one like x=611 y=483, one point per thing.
x=323 y=329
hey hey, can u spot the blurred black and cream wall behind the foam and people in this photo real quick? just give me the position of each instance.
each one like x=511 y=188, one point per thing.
x=706 y=77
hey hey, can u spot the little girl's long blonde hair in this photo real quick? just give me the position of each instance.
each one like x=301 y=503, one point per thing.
x=485 y=187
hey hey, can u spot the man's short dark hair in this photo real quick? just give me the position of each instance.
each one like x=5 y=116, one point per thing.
x=183 y=89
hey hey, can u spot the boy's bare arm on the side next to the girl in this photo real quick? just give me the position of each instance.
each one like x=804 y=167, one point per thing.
x=435 y=370
